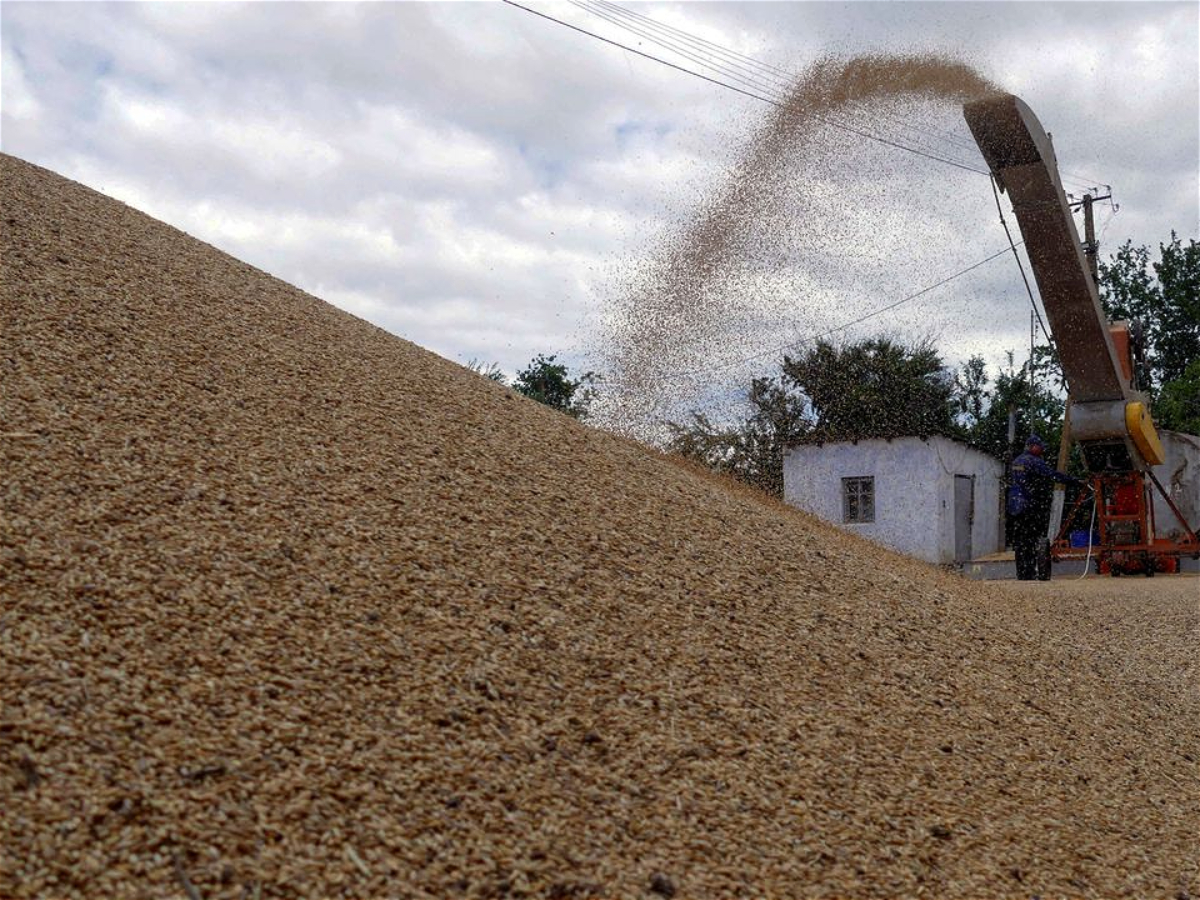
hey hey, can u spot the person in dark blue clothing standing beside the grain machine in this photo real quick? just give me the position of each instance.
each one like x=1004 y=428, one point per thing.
x=1030 y=495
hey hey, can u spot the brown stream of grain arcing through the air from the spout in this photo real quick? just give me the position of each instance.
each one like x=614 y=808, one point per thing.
x=691 y=299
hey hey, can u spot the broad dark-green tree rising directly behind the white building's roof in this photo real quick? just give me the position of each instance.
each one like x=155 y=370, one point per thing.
x=874 y=389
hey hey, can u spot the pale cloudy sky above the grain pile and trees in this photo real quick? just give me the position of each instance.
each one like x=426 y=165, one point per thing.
x=484 y=182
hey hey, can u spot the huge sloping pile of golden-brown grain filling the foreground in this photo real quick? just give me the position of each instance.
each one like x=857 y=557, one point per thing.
x=292 y=608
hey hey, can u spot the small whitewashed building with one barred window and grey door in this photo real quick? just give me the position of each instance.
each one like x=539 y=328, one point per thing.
x=933 y=499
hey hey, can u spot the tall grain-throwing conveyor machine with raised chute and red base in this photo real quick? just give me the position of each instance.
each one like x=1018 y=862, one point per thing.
x=1111 y=418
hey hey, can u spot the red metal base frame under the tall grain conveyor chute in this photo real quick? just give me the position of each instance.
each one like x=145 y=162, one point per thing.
x=1125 y=523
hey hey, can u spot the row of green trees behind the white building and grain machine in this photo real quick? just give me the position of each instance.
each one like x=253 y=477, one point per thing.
x=883 y=388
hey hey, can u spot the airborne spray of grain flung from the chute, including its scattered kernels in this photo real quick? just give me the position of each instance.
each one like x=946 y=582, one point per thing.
x=753 y=263
